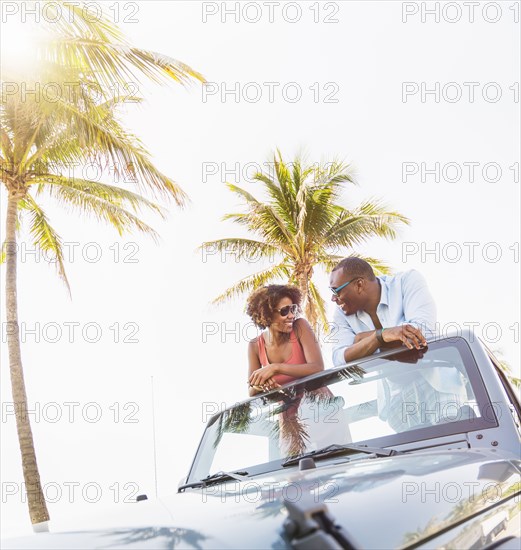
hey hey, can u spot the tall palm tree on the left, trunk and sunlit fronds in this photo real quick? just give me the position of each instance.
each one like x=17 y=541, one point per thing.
x=39 y=142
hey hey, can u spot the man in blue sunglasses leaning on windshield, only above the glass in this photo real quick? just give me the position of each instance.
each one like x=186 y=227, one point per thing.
x=378 y=312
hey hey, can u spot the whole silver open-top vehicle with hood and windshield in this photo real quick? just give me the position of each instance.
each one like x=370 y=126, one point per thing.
x=405 y=449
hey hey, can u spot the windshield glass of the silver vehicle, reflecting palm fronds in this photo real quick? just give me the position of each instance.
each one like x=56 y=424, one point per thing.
x=381 y=402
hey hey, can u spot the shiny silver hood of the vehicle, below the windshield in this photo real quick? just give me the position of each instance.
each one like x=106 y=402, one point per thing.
x=380 y=503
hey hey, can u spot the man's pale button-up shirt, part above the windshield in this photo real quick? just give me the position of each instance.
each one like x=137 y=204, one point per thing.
x=404 y=299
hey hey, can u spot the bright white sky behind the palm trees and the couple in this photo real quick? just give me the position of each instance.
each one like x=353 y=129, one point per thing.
x=164 y=295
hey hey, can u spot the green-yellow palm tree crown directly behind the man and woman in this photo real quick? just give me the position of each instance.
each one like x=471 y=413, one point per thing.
x=302 y=226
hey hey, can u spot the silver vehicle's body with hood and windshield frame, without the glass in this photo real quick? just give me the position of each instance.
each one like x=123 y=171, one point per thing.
x=445 y=488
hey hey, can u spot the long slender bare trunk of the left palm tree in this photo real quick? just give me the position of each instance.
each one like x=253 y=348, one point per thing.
x=37 y=505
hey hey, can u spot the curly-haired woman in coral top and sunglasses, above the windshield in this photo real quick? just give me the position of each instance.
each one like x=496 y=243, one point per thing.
x=287 y=349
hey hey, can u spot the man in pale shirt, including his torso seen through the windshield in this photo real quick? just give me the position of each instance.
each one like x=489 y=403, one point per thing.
x=379 y=312
